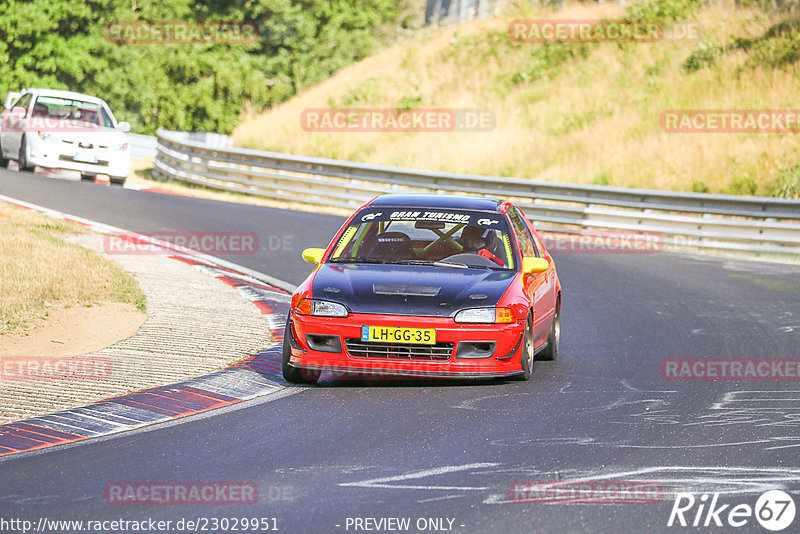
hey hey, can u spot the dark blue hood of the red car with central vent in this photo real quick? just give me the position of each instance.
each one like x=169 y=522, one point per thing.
x=409 y=289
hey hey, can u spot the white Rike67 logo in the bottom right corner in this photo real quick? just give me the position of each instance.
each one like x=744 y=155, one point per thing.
x=774 y=510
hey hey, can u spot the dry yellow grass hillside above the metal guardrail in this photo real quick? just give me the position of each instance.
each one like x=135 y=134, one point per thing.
x=594 y=121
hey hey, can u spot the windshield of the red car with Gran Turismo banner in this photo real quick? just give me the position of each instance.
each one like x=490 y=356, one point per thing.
x=439 y=237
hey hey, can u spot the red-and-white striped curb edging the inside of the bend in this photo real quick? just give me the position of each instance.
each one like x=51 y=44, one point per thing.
x=255 y=376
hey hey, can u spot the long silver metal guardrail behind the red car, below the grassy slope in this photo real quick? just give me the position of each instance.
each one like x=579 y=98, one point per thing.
x=728 y=222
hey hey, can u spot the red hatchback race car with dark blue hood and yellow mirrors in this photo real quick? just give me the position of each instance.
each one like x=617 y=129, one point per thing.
x=426 y=285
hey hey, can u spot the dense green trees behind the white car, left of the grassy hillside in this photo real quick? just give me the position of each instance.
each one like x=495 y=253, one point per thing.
x=60 y=44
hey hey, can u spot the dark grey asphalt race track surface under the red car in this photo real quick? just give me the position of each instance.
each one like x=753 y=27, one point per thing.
x=434 y=449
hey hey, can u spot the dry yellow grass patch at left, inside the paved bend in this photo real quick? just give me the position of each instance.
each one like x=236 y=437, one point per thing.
x=39 y=271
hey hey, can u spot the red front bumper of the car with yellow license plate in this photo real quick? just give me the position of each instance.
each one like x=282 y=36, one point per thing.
x=504 y=360
